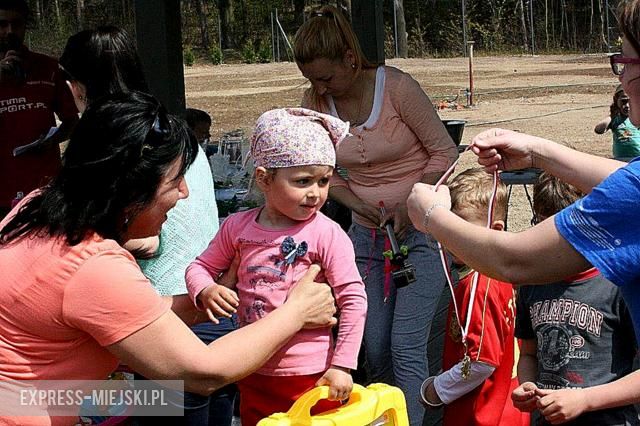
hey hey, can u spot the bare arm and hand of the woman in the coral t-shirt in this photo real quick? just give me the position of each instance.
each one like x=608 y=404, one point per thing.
x=167 y=349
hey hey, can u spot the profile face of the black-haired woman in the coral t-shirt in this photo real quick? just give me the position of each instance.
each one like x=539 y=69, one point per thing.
x=148 y=222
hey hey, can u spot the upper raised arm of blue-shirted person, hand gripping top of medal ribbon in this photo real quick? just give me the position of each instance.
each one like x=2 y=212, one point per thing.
x=499 y=149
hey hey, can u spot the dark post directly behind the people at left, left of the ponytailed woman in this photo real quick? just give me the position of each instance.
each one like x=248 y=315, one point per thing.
x=159 y=37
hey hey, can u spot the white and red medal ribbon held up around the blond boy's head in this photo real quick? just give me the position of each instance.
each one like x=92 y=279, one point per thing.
x=464 y=331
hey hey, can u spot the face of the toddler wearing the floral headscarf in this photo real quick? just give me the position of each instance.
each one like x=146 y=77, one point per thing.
x=293 y=194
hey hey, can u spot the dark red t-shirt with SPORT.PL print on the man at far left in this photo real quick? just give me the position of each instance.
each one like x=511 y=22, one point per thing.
x=26 y=113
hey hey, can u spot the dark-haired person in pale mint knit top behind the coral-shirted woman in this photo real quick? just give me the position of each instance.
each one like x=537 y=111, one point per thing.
x=103 y=61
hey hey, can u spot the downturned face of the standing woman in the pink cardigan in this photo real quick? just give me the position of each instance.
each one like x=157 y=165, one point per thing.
x=333 y=78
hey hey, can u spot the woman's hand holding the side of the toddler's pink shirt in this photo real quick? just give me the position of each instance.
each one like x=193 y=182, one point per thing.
x=313 y=301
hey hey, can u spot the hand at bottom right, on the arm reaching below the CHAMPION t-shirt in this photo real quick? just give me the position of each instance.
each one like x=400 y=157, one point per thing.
x=559 y=406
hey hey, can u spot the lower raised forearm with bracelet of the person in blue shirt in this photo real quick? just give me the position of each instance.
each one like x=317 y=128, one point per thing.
x=537 y=255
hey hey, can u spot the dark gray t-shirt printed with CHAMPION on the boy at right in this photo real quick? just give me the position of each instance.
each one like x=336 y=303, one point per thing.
x=584 y=337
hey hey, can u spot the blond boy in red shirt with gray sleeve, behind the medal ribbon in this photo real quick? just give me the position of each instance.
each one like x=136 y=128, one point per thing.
x=478 y=370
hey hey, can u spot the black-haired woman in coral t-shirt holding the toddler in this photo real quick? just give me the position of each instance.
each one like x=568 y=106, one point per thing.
x=73 y=303
